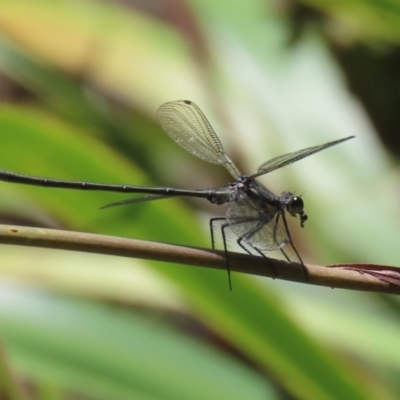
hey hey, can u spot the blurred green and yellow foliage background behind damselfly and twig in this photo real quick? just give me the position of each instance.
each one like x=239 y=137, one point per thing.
x=80 y=83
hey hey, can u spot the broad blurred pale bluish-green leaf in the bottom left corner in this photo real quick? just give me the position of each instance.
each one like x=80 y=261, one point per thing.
x=111 y=354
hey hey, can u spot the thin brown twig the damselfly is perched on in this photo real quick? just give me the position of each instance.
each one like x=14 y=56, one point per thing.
x=338 y=276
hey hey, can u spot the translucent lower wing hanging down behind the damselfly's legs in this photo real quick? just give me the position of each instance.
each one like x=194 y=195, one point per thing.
x=257 y=227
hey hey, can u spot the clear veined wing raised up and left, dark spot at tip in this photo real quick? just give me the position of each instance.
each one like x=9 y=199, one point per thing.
x=186 y=124
